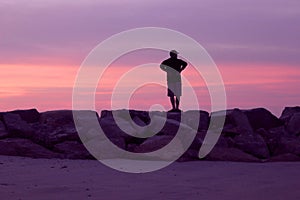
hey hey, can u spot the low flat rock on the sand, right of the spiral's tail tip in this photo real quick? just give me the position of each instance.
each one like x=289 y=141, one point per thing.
x=230 y=154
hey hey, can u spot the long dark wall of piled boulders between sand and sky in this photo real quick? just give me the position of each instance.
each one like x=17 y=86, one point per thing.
x=254 y=135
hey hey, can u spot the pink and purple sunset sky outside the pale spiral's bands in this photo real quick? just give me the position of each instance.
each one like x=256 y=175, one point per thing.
x=255 y=45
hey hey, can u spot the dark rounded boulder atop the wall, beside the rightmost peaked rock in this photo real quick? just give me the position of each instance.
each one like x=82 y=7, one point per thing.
x=262 y=118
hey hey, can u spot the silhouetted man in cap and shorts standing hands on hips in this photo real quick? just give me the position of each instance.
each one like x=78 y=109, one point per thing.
x=174 y=66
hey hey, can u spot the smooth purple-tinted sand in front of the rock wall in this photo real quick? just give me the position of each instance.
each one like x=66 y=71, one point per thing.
x=27 y=178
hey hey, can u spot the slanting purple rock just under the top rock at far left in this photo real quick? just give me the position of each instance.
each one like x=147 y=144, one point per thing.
x=16 y=126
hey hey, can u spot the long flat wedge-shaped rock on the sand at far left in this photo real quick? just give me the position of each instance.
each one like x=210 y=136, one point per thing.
x=25 y=147
